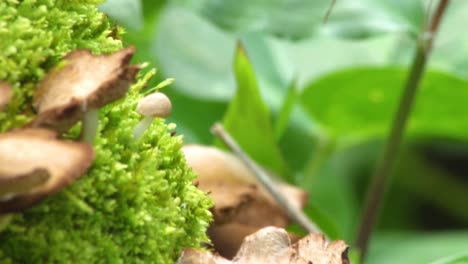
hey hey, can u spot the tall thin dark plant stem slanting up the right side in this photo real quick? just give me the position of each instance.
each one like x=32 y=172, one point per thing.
x=386 y=163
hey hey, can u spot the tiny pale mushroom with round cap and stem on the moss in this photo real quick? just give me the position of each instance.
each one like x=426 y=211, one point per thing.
x=154 y=105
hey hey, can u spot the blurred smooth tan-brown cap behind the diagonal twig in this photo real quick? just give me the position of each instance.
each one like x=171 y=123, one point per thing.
x=241 y=205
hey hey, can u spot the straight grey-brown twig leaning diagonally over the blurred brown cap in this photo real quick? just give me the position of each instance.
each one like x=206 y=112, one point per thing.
x=294 y=213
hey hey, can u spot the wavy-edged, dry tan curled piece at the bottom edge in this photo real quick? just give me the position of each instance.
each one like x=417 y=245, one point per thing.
x=272 y=245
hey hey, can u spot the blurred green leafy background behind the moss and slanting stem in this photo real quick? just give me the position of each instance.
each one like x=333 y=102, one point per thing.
x=313 y=101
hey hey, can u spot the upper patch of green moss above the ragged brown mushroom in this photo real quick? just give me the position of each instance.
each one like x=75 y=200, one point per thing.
x=35 y=34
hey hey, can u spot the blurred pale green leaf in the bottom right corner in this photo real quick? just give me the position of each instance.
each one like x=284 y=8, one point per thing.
x=416 y=248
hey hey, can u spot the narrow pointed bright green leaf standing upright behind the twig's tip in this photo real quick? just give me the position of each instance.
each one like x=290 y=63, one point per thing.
x=248 y=117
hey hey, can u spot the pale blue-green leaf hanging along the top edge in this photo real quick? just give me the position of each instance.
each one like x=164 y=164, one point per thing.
x=299 y=19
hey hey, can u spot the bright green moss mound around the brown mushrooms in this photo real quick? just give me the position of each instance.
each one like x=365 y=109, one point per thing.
x=137 y=204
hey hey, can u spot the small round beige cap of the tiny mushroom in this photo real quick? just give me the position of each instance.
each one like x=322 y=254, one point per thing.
x=155 y=105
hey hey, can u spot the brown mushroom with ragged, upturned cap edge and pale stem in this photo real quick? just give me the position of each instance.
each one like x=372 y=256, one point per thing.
x=75 y=89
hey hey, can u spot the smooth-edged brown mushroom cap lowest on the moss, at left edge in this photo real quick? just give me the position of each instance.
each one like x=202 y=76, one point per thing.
x=34 y=164
